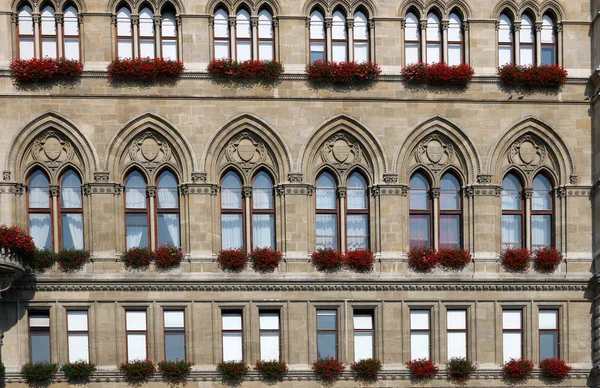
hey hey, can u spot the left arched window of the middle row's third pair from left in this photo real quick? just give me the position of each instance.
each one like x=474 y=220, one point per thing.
x=232 y=212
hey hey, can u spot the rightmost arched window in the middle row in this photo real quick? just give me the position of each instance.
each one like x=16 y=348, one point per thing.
x=541 y=213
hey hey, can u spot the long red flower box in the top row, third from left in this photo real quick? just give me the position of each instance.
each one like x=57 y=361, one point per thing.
x=246 y=70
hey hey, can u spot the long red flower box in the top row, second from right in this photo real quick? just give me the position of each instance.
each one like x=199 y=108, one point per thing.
x=437 y=74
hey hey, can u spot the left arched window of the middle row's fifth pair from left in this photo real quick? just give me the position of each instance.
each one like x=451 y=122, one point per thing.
x=420 y=212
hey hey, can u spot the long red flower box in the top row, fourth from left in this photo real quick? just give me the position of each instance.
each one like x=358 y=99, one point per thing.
x=342 y=73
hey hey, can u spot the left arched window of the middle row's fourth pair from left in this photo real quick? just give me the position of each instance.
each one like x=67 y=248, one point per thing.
x=327 y=210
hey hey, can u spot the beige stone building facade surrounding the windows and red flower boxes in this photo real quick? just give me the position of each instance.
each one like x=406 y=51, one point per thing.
x=200 y=129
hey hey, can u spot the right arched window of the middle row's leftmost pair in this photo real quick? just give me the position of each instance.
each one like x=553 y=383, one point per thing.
x=71 y=211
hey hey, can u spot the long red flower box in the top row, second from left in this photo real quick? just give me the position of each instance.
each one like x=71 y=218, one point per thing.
x=144 y=69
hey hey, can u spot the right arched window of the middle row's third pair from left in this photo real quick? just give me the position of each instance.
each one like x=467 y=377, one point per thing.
x=263 y=212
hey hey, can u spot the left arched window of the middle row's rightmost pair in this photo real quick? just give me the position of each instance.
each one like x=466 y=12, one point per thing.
x=512 y=212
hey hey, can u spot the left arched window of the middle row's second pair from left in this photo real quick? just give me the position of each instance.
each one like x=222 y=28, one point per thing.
x=136 y=211
